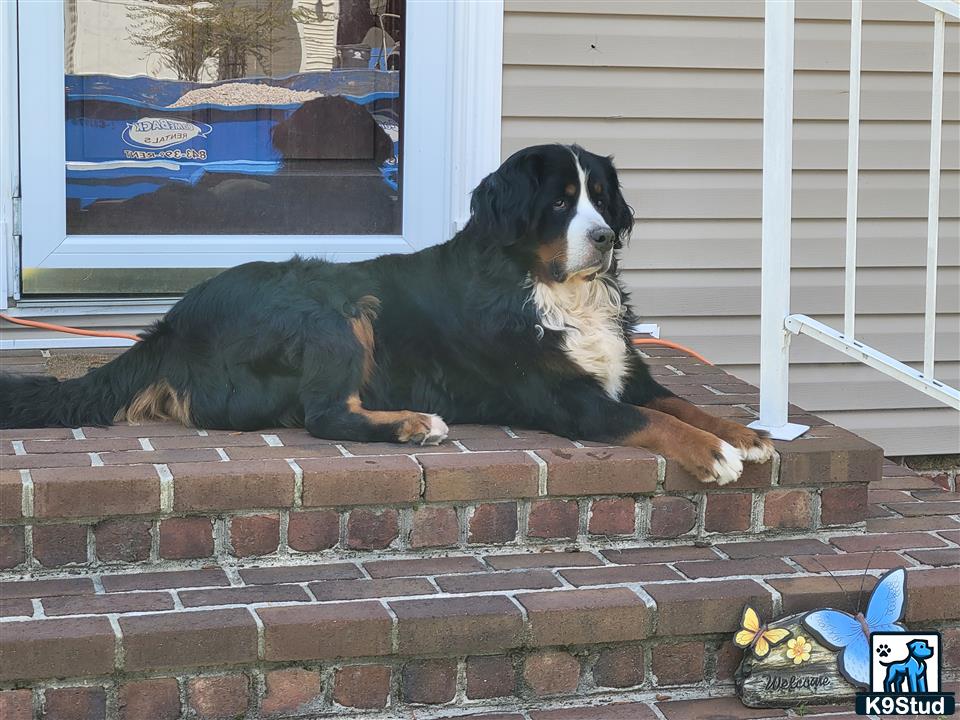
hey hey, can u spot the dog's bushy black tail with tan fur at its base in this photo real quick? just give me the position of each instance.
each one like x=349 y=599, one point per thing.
x=128 y=387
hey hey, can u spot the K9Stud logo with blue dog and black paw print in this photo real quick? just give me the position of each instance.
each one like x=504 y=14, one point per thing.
x=905 y=676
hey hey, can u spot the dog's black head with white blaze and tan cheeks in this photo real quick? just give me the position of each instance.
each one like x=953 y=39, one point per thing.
x=557 y=209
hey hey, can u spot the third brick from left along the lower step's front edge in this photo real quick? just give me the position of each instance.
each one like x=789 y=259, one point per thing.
x=320 y=632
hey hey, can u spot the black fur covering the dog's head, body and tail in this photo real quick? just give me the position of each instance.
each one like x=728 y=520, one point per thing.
x=270 y=344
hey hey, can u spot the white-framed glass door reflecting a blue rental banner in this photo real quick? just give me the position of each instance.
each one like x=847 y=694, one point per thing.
x=162 y=140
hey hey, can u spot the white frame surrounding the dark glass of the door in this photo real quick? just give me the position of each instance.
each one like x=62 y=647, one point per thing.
x=451 y=140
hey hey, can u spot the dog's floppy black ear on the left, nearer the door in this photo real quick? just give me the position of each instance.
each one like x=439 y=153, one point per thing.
x=502 y=207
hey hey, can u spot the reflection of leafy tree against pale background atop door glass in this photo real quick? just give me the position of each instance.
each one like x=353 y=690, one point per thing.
x=187 y=34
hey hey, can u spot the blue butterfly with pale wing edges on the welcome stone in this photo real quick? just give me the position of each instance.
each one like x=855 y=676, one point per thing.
x=851 y=634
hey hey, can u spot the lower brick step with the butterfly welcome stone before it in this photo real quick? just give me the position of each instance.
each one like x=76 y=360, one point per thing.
x=457 y=632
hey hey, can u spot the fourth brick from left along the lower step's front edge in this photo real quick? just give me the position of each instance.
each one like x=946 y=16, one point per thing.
x=457 y=625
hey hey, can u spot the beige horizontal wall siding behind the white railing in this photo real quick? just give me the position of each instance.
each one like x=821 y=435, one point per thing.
x=674 y=91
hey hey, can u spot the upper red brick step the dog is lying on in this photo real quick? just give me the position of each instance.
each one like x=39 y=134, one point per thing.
x=155 y=494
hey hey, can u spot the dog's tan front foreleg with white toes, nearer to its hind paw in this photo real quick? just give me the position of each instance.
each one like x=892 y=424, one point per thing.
x=702 y=454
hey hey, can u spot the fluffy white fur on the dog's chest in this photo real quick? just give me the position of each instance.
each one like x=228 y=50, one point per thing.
x=589 y=313
